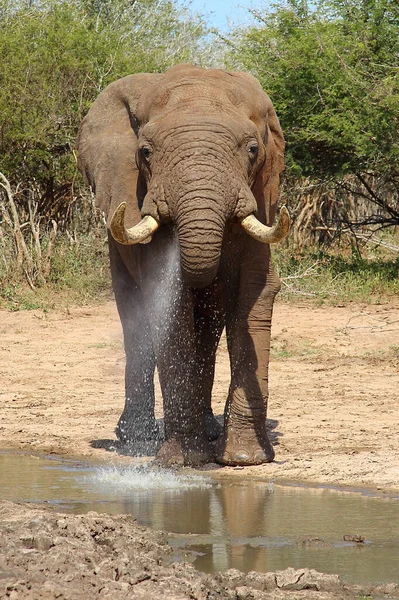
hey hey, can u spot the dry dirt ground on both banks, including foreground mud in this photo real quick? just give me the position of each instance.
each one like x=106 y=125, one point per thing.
x=334 y=387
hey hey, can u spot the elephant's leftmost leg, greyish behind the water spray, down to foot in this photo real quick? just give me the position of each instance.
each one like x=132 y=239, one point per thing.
x=137 y=425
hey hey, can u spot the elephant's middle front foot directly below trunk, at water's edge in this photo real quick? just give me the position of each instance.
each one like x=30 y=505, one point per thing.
x=184 y=452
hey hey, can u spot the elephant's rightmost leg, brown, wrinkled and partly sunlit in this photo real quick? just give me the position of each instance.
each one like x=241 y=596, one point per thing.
x=244 y=440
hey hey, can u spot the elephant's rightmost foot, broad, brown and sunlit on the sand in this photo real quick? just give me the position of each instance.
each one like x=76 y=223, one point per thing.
x=237 y=448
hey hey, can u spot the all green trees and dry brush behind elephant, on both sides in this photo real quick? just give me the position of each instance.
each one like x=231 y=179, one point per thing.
x=330 y=66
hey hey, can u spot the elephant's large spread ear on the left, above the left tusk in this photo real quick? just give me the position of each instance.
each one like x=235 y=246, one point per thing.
x=107 y=144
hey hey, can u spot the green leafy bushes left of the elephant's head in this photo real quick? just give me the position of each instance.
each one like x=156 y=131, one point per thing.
x=57 y=55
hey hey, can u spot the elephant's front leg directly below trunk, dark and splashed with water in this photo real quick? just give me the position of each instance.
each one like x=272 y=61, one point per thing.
x=186 y=441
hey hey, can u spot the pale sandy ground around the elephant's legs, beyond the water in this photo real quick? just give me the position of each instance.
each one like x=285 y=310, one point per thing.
x=334 y=389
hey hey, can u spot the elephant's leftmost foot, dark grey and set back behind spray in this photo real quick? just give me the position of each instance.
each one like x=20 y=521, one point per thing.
x=139 y=440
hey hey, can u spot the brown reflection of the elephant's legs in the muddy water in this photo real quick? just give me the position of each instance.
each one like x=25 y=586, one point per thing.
x=217 y=514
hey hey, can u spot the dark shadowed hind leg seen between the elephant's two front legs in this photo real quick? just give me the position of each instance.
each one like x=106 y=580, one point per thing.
x=209 y=323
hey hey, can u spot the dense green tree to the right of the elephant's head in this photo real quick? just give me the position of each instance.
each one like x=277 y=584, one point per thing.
x=331 y=68
